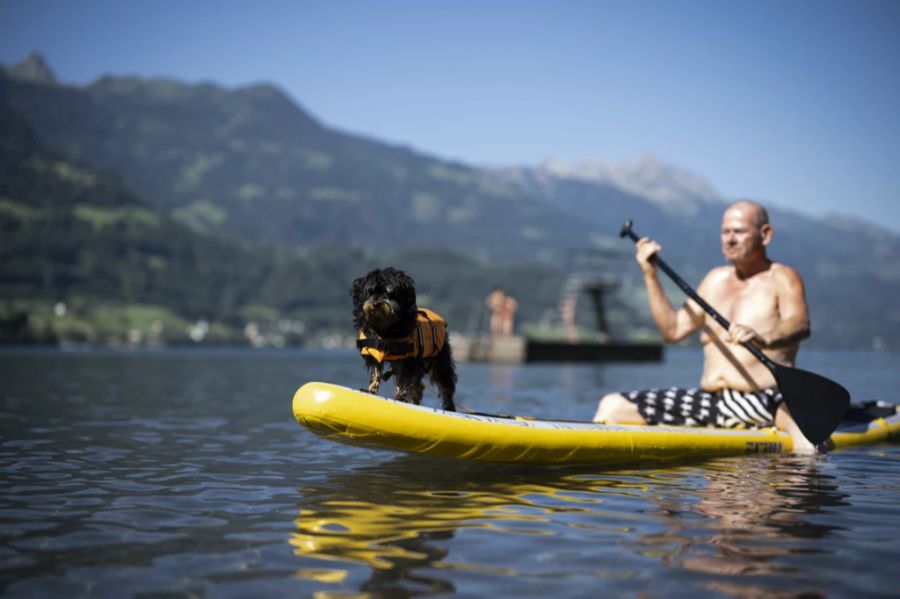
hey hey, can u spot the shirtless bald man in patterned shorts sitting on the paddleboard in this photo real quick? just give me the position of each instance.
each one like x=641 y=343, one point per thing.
x=766 y=304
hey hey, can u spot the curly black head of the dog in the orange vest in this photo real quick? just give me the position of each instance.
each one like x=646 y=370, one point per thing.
x=385 y=301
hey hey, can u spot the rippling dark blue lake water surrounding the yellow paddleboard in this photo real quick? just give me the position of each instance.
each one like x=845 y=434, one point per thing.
x=183 y=473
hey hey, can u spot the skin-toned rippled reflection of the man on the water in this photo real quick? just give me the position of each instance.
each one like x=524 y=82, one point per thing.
x=756 y=518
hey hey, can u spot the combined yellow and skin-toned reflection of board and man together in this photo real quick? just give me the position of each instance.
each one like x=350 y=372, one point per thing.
x=733 y=521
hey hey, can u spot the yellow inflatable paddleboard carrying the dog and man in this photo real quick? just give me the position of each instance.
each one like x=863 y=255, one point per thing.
x=359 y=418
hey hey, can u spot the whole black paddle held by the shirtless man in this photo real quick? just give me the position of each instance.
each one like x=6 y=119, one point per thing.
x=817 y=404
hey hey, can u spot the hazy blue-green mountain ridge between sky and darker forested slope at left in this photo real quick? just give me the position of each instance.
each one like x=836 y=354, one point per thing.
x=250 y=164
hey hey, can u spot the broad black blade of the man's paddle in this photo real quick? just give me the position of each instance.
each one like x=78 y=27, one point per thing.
x=817 y=404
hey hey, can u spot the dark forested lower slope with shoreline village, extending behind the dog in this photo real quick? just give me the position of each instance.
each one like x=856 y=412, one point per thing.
x=85 y=259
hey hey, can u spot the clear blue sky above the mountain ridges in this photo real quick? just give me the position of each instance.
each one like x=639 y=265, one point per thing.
x=795 y=103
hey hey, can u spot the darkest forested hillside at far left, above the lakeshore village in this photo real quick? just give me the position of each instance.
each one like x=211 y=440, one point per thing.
x=74 y=235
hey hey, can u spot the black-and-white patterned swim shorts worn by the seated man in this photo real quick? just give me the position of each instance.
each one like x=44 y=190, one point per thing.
x=695 y=407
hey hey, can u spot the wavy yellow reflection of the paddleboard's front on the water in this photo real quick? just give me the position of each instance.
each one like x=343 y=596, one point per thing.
x=389 y=516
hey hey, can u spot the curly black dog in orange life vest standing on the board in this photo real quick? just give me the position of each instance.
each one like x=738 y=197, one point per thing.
x=392 y=328
